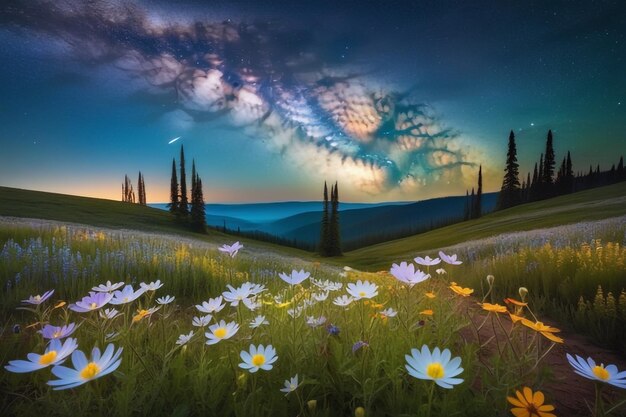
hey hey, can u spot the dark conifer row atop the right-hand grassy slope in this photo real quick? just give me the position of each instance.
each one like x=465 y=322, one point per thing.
x=547 y=182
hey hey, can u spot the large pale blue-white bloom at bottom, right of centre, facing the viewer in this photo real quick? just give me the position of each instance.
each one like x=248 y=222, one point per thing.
x=436 y=366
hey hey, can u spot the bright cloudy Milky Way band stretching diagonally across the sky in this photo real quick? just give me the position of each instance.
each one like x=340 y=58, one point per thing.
x=274 y=82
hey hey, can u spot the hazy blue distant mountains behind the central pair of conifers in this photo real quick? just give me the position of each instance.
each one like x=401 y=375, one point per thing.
x=361 y=223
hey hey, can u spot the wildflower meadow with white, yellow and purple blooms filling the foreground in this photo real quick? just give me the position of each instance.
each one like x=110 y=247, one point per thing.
x=116 y=323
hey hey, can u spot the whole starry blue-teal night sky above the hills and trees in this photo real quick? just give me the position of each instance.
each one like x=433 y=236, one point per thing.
x=397 y=100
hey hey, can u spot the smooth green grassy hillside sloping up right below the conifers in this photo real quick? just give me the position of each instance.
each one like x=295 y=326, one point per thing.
x=596 y=204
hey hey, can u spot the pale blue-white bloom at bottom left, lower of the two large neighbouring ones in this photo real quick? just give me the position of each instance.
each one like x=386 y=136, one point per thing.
x=86 y=370
